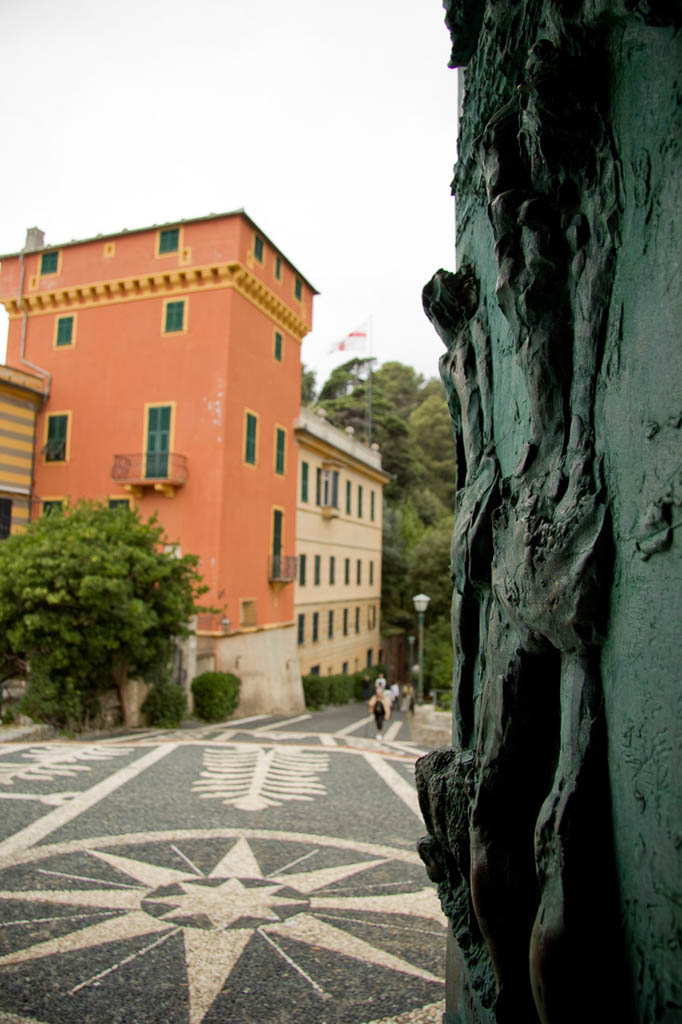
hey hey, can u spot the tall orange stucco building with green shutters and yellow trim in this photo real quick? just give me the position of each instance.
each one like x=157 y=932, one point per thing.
x=172 y=365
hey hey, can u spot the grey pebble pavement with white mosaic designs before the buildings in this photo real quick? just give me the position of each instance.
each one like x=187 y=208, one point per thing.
x=259 y=871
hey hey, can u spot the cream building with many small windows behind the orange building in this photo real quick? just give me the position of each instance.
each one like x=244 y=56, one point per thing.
x=337 y=595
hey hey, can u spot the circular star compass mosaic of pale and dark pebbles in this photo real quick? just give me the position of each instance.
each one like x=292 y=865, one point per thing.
x=219 y=928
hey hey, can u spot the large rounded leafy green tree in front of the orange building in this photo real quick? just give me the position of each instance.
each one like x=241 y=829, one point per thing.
x=91 y=596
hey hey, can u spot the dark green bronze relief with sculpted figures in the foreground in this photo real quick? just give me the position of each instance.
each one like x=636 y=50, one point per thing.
x=556 y=819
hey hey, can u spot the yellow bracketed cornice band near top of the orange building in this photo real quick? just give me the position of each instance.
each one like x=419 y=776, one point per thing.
x=146 y=286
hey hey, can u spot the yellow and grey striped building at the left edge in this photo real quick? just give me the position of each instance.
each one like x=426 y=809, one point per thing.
x=21 y=398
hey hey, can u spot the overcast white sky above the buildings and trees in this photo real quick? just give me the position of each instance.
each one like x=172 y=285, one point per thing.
x=334 y=125
